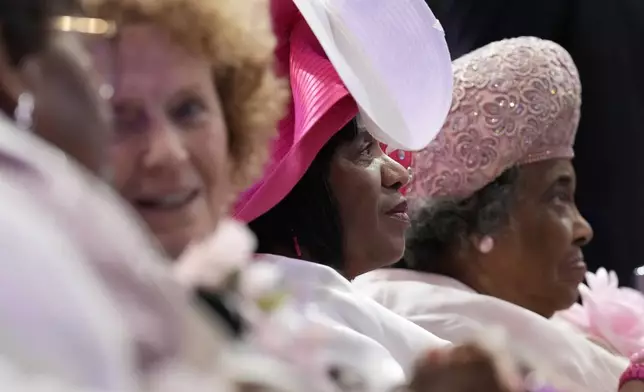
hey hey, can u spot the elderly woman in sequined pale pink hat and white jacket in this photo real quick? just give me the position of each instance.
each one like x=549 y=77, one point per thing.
x=496 y=238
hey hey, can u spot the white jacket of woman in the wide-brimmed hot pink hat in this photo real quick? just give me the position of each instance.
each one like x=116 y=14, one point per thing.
x=359 y=332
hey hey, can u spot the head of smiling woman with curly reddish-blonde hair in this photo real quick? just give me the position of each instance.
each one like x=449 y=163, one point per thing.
x=196 y=102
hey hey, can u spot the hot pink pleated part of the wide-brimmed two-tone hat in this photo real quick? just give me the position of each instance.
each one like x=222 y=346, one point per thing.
x=321 y=106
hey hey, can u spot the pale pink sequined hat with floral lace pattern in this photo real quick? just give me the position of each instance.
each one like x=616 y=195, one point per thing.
x=515 y=102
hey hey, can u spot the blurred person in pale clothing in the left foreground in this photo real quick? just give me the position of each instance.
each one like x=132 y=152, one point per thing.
x=89 y=304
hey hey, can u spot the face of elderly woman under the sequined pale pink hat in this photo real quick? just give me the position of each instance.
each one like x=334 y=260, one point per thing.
x=537 y=260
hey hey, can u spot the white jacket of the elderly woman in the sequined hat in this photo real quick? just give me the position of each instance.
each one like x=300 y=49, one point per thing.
x=455 y=312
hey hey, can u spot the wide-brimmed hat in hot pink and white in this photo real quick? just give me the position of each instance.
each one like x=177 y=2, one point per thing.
x=384 y=60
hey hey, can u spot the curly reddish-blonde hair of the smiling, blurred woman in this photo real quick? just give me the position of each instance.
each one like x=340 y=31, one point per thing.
x=236 y=37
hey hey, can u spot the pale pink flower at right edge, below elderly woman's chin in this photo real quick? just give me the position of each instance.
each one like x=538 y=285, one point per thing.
x=610 y=314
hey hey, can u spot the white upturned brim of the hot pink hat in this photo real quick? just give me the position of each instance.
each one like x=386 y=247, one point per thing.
x=394 y=60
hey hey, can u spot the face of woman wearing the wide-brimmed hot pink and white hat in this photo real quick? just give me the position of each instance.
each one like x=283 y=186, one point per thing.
x=366 y=184
